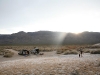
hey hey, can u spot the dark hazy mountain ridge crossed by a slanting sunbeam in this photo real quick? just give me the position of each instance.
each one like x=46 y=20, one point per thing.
x=50 y=38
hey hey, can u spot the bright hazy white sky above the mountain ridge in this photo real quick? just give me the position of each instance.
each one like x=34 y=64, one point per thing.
x=53 y=15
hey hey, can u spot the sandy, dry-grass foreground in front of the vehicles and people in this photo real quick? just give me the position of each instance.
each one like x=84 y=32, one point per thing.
x=50 y=64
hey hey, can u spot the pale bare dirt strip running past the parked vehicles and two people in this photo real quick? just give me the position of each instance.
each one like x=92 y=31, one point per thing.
x=47 y=54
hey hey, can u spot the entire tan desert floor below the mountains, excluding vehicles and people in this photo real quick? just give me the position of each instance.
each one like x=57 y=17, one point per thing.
x=62 y=60
